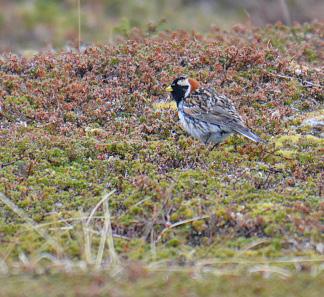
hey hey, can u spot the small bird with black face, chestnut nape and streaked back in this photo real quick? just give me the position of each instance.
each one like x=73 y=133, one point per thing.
x=205 y=114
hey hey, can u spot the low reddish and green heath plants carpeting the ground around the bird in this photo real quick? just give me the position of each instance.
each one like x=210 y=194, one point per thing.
x=95 y=171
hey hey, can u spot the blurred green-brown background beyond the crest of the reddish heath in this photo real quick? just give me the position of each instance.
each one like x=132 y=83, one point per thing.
x=37 y=24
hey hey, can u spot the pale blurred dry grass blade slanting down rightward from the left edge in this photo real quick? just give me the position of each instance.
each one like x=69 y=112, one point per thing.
x=32 y=224
